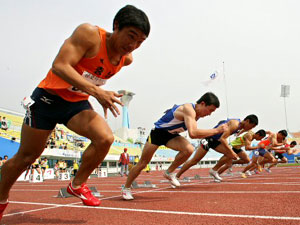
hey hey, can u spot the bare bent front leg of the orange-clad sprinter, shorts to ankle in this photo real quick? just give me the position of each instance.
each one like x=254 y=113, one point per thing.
x=89 y=124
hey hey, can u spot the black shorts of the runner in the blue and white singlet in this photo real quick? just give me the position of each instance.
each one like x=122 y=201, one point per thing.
x=160 y=136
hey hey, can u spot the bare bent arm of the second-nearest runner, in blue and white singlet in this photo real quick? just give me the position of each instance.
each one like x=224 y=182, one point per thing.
x=189 y=117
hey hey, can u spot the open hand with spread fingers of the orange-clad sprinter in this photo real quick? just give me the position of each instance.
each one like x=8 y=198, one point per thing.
x=108 y=99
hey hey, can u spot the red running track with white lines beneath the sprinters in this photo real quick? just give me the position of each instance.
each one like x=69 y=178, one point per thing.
x=267 y=198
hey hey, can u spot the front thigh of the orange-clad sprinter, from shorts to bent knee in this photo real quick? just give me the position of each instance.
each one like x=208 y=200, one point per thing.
x=89 y=124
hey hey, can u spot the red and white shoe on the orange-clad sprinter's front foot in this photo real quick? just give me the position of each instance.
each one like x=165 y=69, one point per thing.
x=85 y=194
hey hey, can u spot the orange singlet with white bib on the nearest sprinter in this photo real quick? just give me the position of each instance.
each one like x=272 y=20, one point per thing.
x=96 y=70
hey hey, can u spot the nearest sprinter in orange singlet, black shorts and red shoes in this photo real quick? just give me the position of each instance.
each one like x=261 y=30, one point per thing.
x=85 y=62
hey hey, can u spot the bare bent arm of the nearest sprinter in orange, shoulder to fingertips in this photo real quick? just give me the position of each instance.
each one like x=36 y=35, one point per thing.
x=84 y=42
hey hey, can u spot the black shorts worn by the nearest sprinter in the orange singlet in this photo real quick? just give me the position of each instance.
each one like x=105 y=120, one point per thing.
x=48 y=110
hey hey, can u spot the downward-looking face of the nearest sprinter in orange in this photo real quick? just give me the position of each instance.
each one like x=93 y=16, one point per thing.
x=128 y=39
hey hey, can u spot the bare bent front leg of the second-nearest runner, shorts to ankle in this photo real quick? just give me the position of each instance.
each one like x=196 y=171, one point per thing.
x=185 y=149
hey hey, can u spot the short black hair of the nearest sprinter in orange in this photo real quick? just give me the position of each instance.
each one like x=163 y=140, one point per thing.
x=132 y=16
